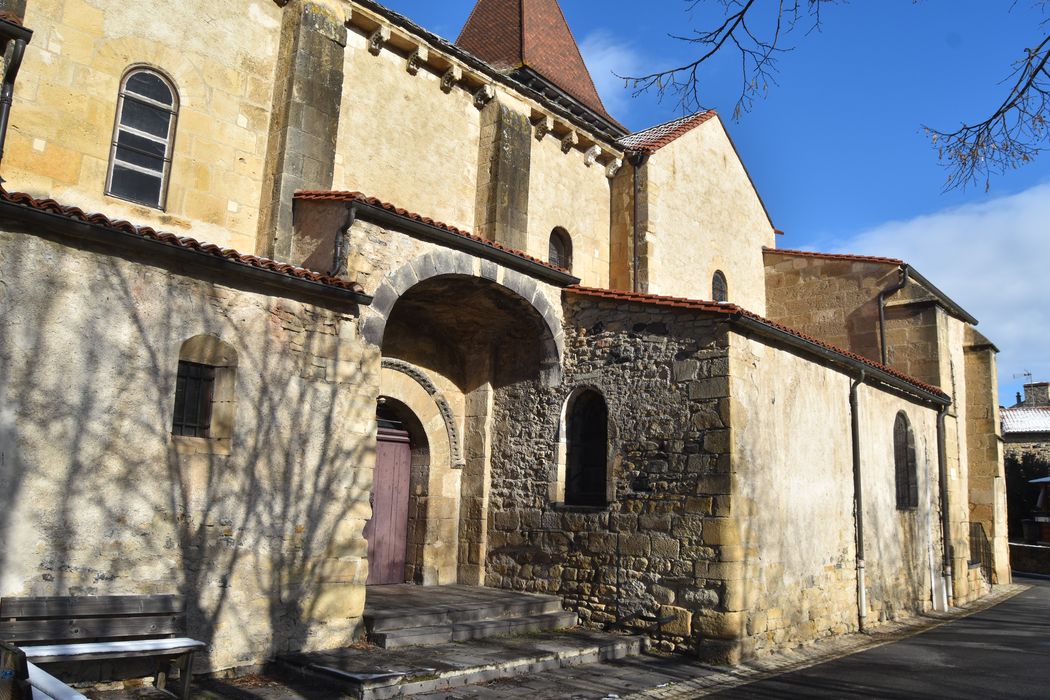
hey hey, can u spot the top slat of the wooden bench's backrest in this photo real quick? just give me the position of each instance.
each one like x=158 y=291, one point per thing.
x=92 y=606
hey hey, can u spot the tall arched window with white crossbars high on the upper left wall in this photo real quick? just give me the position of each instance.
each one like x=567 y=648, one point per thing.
x=140 y=160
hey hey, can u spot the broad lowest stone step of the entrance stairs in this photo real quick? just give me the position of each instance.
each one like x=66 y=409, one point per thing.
x=371 y=674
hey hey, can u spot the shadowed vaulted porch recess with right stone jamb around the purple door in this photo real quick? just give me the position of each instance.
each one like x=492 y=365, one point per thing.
x=468 y=338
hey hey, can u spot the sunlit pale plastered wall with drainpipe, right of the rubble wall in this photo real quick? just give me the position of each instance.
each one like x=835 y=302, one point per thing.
x=794 y=502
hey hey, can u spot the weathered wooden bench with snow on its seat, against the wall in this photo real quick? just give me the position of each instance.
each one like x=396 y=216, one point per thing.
x=65 y=630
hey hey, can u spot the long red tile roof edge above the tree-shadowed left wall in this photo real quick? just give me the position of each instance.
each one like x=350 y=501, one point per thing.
x=75 y=214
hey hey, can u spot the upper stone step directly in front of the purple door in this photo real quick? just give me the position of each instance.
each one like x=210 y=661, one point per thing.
x=404 y=619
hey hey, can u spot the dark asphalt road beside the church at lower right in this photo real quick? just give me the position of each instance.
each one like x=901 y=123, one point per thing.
x=1000 y=653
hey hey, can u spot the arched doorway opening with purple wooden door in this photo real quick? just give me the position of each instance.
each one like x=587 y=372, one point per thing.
x=402 y=461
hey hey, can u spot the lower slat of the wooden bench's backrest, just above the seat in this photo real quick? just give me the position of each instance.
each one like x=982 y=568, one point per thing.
x=88 y=628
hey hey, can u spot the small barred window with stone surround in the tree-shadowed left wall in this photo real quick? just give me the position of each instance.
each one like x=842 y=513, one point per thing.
x=205 y=392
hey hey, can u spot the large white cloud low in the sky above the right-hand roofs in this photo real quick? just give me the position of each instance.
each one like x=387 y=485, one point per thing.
x=994 y=259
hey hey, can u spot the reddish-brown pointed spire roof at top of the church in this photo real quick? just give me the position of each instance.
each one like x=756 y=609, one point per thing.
x=516 y=35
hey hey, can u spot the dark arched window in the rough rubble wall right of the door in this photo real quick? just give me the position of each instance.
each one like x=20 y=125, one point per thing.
x=586 y=470
